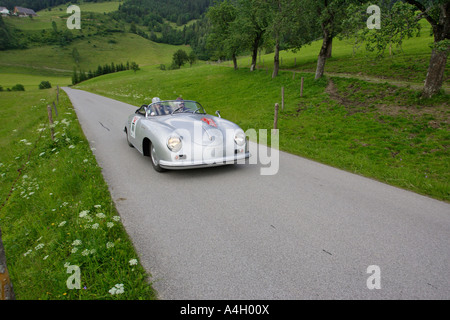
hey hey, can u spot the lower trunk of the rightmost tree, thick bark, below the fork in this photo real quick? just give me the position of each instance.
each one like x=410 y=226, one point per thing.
x=435 y=75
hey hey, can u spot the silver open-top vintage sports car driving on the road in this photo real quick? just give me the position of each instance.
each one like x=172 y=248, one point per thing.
x=178 y=134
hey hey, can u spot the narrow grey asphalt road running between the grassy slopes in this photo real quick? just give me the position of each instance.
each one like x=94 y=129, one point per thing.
x=308 y=232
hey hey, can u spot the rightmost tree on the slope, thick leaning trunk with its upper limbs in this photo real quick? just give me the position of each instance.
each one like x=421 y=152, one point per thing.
x=437 y=13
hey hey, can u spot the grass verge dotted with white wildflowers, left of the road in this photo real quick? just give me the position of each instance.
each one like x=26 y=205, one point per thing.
x=56 y=210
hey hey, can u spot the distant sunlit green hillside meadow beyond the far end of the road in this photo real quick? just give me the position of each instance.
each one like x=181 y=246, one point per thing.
x=101 y=40
